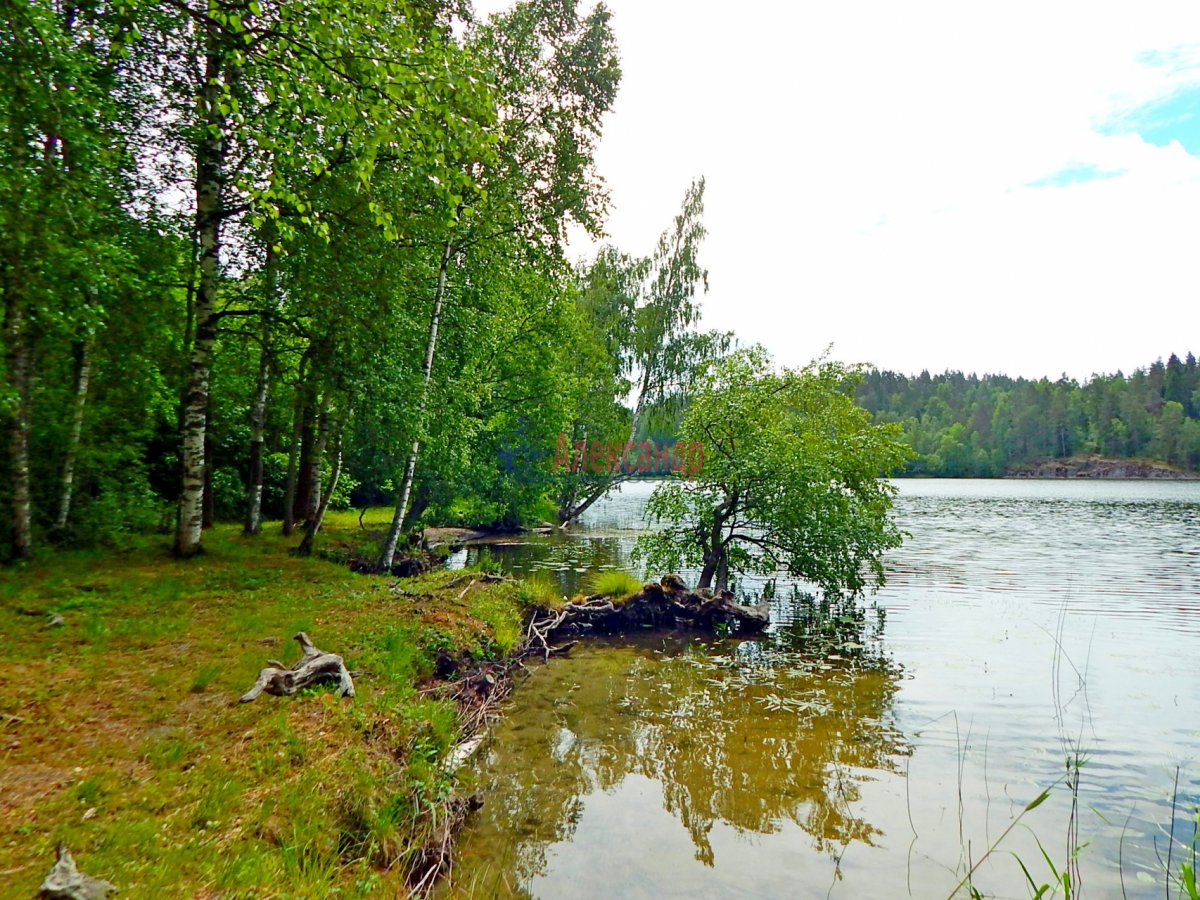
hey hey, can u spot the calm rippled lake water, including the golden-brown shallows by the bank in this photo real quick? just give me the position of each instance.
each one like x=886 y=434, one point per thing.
x=1023 y=622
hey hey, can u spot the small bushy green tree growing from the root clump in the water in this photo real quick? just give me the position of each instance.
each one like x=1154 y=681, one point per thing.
x=793 y=481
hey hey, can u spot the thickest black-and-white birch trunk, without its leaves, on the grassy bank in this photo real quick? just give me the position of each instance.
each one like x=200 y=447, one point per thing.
x=209 y=183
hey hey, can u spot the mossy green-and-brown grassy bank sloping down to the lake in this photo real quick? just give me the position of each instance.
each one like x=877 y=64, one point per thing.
x=122 y=736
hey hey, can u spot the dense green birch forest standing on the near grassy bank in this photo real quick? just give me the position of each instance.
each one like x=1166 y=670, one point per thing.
x=261 y=260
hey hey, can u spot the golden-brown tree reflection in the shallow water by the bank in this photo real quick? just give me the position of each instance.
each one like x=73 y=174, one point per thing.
x=753 y=735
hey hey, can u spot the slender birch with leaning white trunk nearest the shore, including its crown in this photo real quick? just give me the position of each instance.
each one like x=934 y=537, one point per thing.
x=557 y=75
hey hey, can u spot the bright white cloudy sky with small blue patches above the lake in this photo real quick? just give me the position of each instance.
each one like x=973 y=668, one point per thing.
x=987 y=188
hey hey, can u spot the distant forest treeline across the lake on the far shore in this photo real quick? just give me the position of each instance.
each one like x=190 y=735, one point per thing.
x=985 y=427
